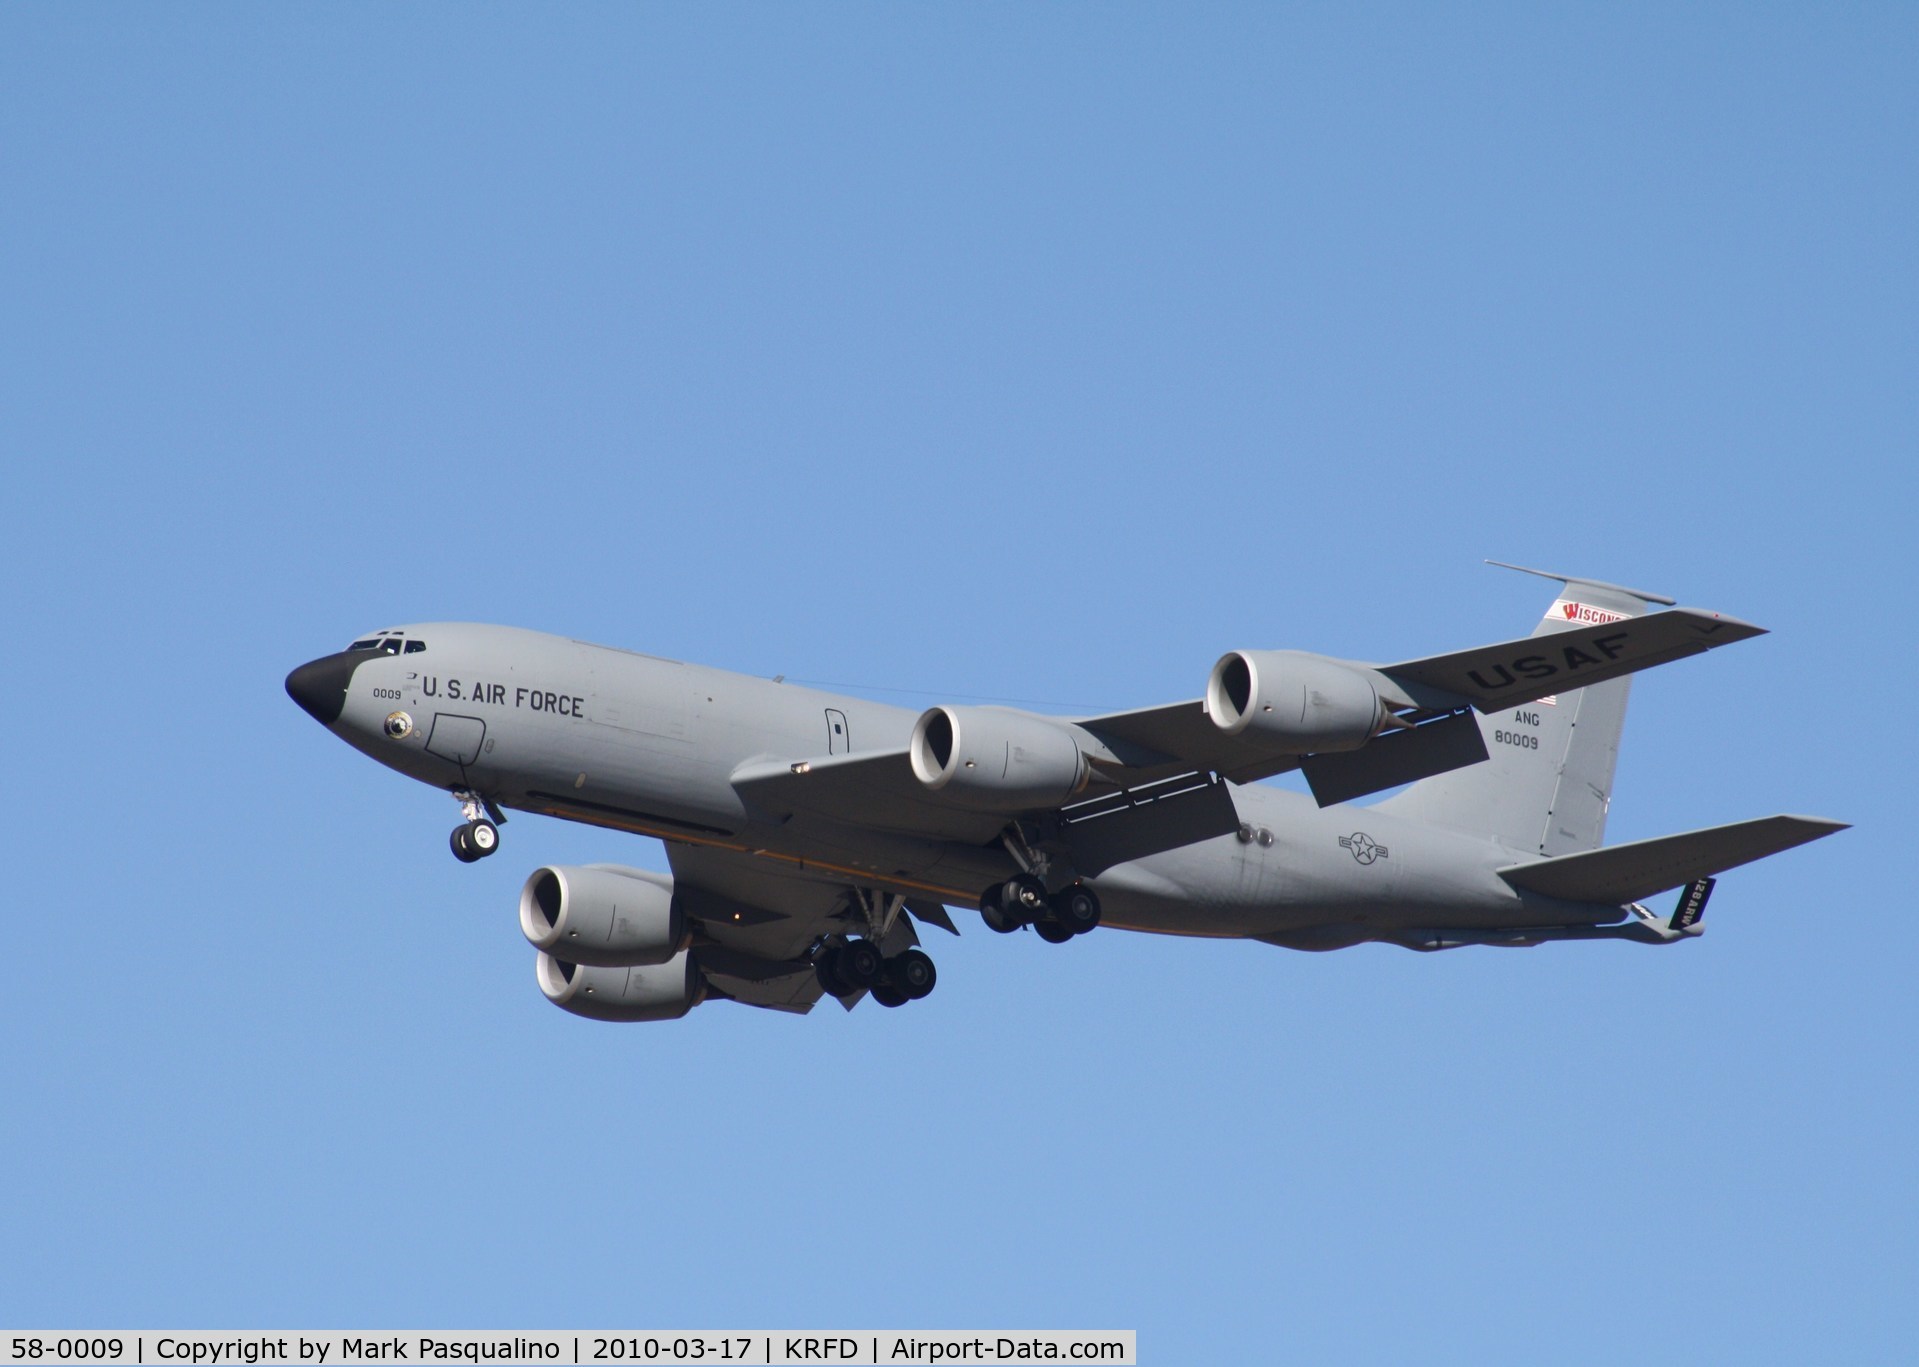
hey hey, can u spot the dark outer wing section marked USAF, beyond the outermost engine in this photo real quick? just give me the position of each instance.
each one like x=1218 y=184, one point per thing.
x=1498 y=677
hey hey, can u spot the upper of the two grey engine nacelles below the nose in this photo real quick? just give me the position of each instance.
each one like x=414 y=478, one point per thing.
x=609 y=917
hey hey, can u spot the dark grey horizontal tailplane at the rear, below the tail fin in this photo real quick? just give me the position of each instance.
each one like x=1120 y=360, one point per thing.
x=1621 y=875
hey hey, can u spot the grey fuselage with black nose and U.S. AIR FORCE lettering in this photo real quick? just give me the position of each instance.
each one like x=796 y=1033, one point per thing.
x=652 y=746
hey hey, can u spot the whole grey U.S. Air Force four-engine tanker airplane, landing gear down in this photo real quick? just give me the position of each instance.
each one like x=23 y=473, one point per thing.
x=811 y=834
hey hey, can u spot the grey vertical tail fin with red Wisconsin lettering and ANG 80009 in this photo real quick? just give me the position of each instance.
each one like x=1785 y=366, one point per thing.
x=1548 y=784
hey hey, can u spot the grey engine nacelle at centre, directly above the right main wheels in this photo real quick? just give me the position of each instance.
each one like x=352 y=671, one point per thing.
x=995 y=759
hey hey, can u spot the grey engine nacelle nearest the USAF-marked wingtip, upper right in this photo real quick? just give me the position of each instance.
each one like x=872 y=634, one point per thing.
x=1304 y=704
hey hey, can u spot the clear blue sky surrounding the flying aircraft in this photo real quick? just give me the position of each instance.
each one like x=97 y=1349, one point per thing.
x=1014 y=352
